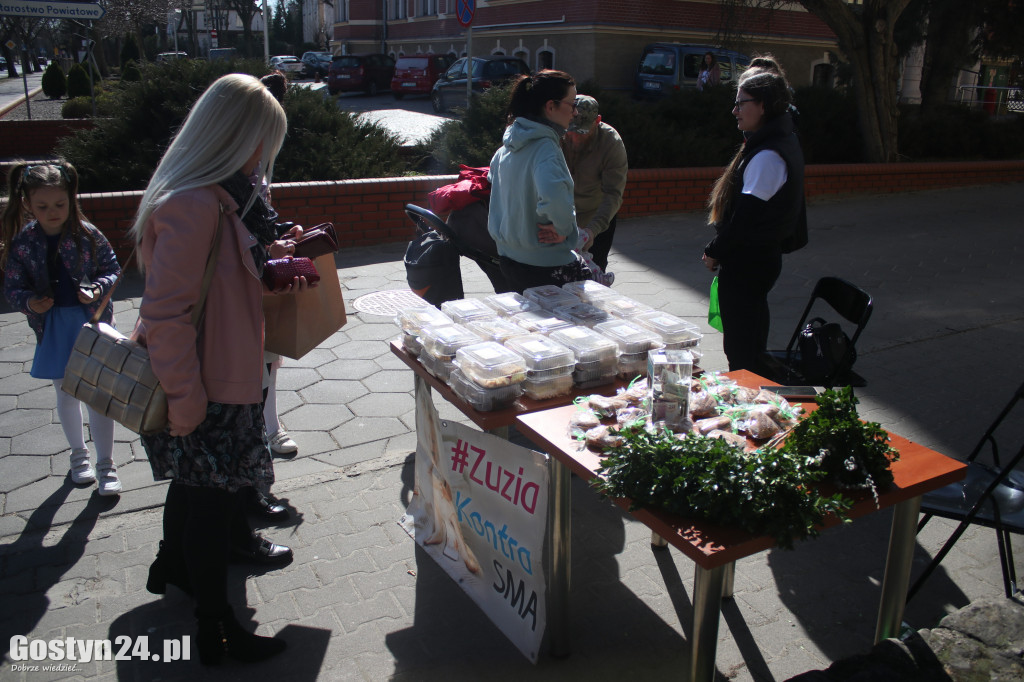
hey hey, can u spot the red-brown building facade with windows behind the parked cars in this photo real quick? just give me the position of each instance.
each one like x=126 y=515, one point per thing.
x=600 y=40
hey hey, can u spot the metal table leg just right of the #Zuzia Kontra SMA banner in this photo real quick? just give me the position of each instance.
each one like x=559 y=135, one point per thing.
x=561 y=528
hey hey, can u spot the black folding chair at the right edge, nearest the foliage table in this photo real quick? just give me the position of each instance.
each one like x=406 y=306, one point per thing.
x=990 y=496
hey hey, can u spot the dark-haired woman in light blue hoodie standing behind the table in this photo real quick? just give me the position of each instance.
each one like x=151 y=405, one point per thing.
x=532 y=217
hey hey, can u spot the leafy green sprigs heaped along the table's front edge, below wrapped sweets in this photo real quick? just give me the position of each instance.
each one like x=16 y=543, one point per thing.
x=765 y=492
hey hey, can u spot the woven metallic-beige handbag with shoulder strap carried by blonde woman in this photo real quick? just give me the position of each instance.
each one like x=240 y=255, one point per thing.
x=112 y=374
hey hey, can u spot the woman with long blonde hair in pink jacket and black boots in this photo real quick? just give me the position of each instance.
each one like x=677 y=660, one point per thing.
x=215 y=445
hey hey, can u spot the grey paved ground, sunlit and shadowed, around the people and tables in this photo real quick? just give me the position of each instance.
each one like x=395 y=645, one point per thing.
x=943 y=354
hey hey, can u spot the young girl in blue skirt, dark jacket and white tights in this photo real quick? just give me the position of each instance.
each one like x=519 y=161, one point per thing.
x=57 y=271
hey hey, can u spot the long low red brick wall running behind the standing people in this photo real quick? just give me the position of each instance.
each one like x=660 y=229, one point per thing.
x=371 y=212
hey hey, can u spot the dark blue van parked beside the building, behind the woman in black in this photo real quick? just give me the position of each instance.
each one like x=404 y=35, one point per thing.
x=666 y=68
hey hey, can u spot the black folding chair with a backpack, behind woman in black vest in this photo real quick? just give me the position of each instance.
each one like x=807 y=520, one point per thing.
x=854 y=305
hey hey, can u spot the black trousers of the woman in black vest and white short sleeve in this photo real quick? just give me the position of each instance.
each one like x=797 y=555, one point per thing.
x=744 y=283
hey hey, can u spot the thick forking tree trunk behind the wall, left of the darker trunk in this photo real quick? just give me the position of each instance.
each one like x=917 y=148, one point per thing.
x=866 y=36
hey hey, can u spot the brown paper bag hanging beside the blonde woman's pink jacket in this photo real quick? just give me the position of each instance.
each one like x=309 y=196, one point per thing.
x=298 y=323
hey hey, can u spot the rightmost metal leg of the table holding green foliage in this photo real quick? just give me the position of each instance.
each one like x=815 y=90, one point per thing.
x=899 y=563
